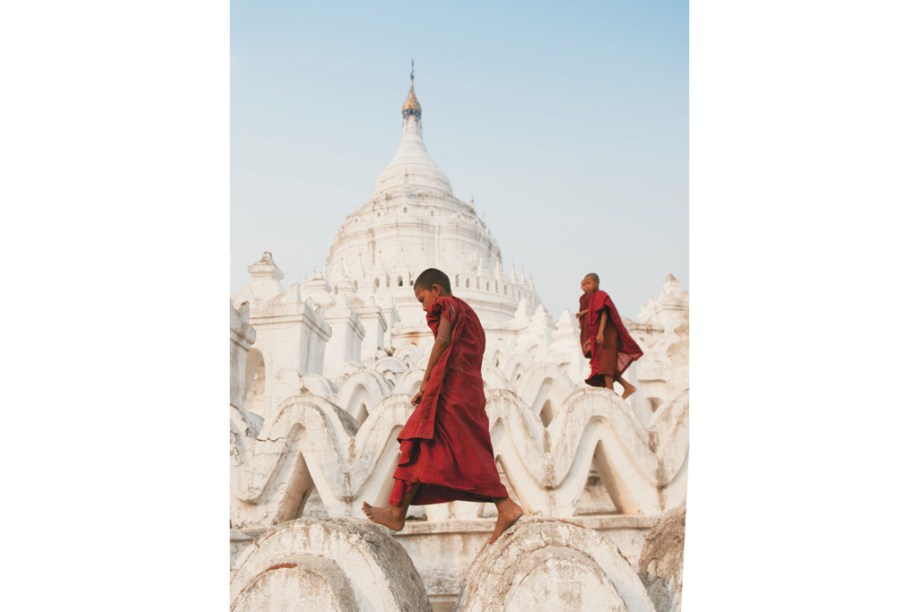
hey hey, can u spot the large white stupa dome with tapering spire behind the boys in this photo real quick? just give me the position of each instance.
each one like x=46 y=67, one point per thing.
x=411 y=222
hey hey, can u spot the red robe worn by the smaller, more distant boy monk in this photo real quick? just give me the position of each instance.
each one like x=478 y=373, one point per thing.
x=618 y=350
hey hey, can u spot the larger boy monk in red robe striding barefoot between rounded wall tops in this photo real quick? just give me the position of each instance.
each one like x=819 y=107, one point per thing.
x=446 y=451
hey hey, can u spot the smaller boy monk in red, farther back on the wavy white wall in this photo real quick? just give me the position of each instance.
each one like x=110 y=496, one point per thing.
x=604 y=338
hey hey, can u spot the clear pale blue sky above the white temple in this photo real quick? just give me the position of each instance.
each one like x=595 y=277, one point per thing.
x=567 y=123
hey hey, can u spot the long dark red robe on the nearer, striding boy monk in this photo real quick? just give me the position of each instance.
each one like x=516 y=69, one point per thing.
x=445 y=444
